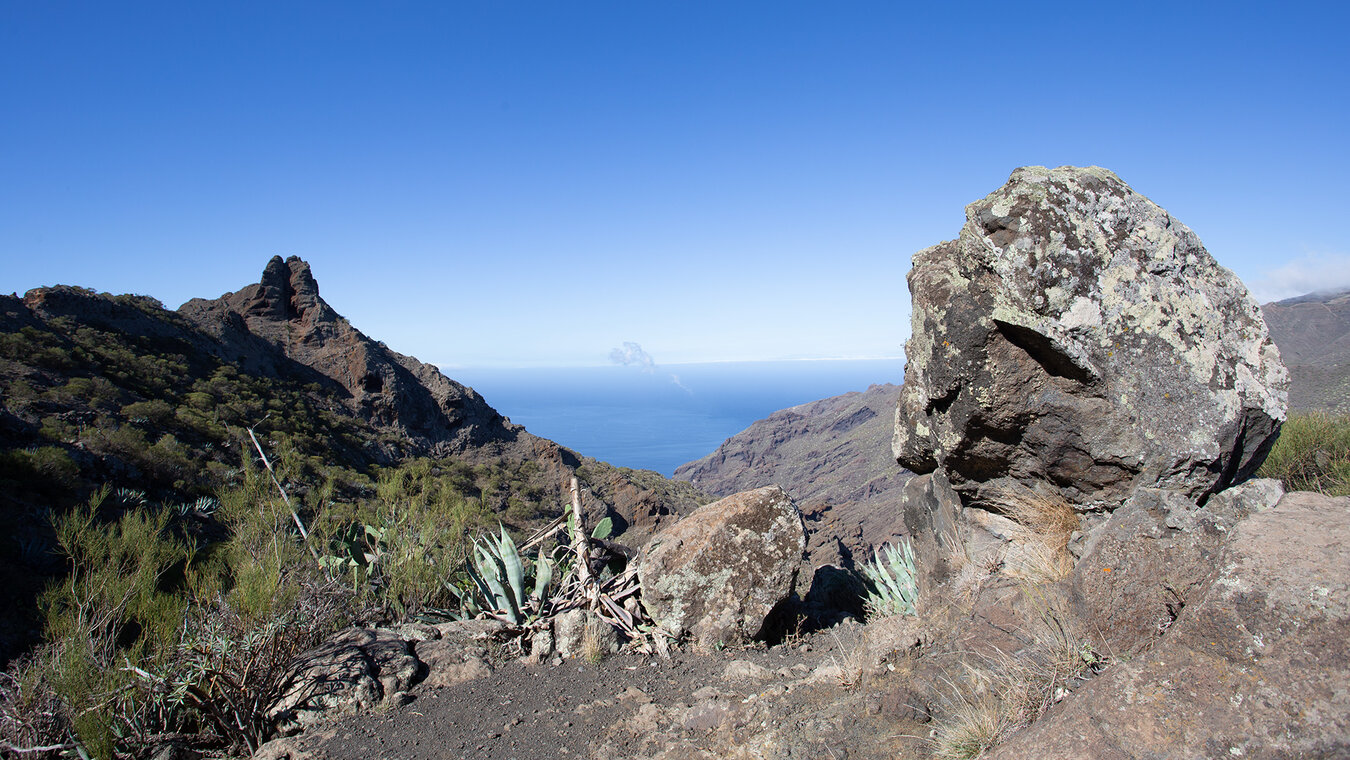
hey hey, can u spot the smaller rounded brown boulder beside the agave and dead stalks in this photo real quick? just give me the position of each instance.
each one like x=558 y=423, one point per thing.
x=719 y=573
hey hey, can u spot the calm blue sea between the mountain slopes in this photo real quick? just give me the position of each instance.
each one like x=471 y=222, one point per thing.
x=662 y=419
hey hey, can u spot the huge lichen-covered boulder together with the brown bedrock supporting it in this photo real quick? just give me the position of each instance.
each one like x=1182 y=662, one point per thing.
x=1091 y=393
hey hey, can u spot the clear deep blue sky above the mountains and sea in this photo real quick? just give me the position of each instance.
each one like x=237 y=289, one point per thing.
x=510 y=184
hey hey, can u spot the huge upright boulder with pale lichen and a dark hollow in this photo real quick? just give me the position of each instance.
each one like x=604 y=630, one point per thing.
x=1078 y=335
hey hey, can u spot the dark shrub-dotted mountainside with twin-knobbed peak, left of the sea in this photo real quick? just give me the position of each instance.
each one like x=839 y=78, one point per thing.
x=117 y=389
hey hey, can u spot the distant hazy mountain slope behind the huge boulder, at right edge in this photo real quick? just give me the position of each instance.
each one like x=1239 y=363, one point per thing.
x=1314 y=338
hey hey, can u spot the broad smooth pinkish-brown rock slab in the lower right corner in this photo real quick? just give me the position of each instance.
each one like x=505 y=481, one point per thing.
x=1255 y=663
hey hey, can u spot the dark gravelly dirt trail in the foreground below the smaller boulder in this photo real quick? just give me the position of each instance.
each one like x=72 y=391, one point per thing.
x=813 y=699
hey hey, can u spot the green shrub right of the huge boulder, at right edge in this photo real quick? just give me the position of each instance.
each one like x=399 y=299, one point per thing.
x=1313 y=454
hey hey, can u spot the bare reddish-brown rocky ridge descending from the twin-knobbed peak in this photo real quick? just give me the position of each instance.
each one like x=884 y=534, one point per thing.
x=281 y=325
